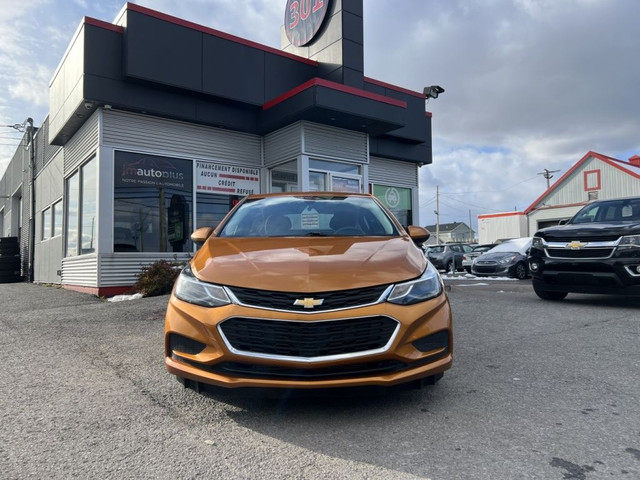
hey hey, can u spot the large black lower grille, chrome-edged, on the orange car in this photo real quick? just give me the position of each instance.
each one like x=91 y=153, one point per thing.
x=260 y=337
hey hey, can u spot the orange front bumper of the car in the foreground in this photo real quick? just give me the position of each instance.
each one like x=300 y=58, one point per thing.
x=421 y=346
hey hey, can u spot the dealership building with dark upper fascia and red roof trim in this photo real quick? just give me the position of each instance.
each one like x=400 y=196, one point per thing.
x=157 y=126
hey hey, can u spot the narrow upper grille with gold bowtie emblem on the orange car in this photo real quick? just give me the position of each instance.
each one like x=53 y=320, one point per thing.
x=330 y=300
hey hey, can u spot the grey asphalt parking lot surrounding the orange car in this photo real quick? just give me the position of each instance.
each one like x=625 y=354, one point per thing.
x=538 y=390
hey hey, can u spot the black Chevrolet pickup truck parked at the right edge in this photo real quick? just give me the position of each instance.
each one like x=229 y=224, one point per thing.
x=596 y=251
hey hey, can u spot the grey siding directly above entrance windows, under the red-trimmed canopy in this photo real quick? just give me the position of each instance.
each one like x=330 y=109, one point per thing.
x=335 y=143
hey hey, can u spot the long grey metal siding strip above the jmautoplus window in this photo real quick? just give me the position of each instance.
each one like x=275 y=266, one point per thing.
x=131 y=131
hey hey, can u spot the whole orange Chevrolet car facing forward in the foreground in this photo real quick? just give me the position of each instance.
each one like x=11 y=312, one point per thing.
x=308 y=290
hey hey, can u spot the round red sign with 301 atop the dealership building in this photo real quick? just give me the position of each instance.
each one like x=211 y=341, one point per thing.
x=303 y=19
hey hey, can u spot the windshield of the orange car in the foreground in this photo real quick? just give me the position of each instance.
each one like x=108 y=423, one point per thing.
x=286 y=216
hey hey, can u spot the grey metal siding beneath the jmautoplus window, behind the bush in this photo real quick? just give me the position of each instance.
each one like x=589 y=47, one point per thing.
x=123 y=269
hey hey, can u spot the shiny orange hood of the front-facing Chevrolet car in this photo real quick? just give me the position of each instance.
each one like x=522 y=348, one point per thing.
x=307 y=264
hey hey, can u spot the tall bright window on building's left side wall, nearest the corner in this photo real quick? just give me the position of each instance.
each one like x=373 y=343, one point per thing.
x=81 y=210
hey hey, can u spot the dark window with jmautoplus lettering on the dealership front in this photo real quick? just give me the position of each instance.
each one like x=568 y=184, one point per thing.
x=153 y=203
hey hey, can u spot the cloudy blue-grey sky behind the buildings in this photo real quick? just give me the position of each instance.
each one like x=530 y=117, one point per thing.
x=530 y=84
